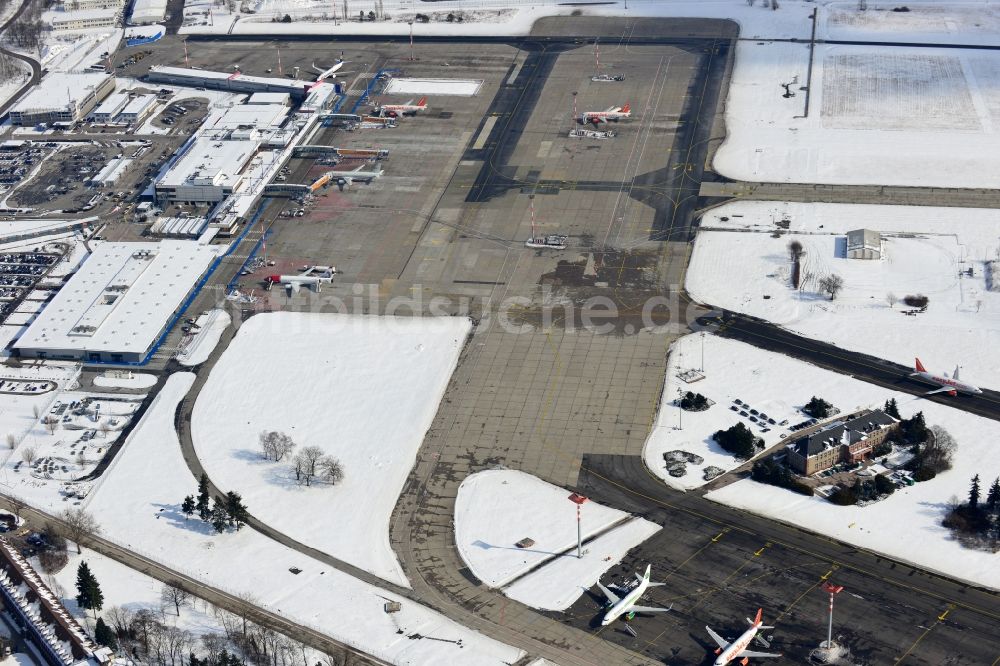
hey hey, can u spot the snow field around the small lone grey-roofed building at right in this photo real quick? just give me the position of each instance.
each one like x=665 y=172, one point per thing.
x=924 y=247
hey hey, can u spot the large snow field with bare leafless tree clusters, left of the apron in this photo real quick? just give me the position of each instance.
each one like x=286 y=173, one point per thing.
x=363 y=389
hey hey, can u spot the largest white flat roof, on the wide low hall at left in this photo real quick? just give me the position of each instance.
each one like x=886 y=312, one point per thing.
x=120 y=299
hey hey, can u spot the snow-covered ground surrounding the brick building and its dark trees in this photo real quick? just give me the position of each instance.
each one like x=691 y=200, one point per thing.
x=906 y=526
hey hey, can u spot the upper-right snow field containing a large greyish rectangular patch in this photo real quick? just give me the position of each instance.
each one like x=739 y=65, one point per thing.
x=878 y=115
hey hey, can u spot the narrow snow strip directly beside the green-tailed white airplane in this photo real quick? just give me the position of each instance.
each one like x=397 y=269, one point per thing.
x=561 y=582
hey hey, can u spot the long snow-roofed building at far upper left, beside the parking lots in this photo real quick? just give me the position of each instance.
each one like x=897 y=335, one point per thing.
x=62 y=97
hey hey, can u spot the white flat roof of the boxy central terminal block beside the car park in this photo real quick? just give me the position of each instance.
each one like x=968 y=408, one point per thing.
x=210 y=162
